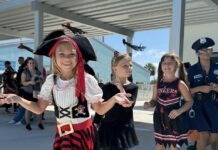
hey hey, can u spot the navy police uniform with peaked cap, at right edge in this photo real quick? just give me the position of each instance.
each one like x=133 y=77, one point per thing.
x=205 y=104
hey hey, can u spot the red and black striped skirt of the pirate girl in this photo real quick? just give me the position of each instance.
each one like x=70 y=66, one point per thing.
x=81 y=139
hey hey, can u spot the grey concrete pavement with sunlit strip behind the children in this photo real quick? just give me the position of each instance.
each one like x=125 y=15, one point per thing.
x=17 y=137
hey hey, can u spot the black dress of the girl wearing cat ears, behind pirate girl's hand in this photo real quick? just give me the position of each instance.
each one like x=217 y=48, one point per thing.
x=116 y=130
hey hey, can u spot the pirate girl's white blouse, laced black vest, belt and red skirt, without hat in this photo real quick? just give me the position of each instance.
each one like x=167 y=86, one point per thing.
x=74 y=130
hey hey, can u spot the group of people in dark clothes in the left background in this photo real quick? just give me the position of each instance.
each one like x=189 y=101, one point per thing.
x=23 y=82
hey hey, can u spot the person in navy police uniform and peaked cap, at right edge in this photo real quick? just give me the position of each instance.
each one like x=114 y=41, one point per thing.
x=203 y=79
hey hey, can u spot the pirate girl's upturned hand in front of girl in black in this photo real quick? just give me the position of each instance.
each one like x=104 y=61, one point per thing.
x=121 y=98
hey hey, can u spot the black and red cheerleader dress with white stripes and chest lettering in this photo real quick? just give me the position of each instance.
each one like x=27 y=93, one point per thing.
x=168 y=131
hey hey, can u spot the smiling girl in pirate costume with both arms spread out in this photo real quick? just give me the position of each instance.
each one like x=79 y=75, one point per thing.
x=72 y=92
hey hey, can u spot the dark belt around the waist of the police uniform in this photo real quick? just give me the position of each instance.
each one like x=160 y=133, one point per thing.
x=212 y=96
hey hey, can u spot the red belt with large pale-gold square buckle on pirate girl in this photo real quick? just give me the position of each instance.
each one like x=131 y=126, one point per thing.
x=67 y=128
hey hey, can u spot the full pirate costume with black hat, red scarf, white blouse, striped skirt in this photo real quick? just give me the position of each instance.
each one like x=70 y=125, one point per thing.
x=72 y=98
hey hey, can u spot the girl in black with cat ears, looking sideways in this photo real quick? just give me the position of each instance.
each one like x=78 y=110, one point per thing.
x=116 y=127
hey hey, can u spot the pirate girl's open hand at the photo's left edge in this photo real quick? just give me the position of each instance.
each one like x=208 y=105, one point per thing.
x=8 y=98
